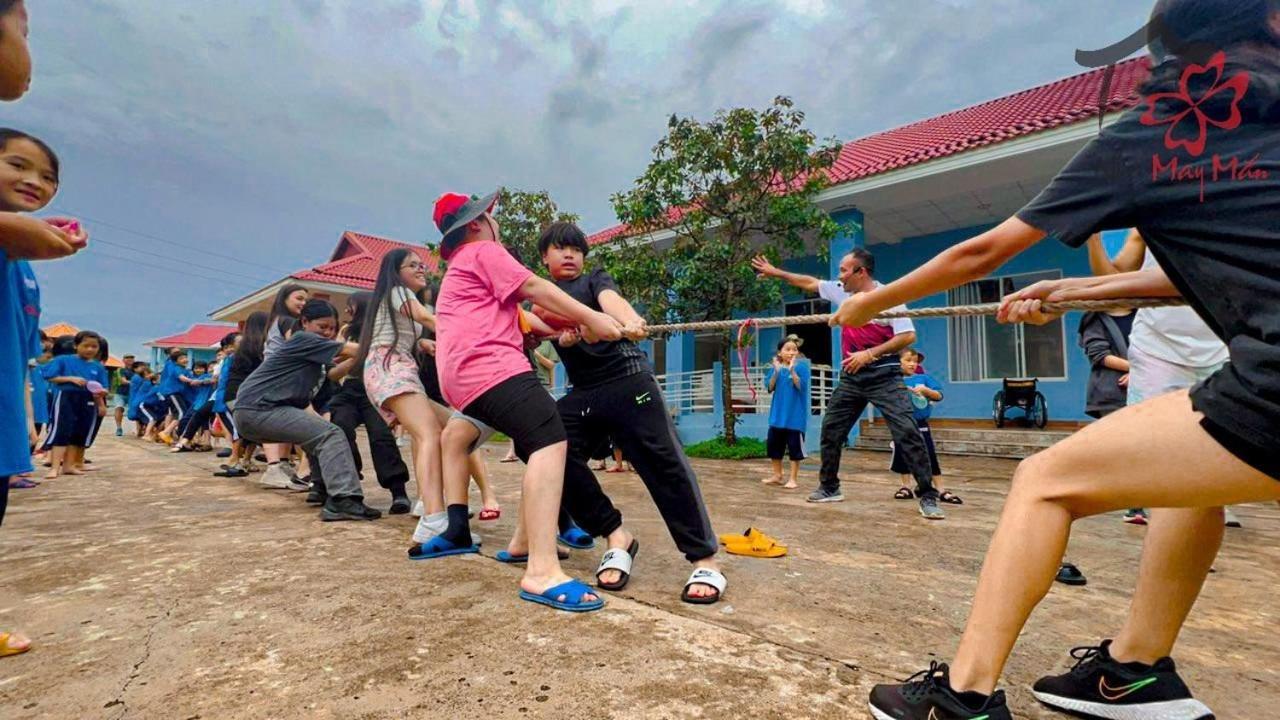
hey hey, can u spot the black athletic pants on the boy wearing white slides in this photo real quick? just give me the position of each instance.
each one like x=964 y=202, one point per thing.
x=632 y=411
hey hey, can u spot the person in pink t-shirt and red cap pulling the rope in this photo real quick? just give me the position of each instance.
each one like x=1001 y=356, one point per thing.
x=486 y=375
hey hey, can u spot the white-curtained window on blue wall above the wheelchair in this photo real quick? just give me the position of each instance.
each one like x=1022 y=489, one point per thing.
x=985 y=350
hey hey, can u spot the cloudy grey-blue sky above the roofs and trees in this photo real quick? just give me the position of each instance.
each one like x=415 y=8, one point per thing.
x=214 y=148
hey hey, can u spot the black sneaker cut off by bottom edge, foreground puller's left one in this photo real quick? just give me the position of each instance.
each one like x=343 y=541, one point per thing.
x=929 y=696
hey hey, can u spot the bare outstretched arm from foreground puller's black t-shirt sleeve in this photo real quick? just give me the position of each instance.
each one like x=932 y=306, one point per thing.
x=959 y=265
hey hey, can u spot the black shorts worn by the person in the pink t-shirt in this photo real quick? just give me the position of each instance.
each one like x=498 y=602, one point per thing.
x=522 y=409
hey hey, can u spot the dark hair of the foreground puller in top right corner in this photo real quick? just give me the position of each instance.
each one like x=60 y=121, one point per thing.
x=1192 y=30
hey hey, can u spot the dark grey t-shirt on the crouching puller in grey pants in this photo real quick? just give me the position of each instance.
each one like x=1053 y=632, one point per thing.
x=291 y=376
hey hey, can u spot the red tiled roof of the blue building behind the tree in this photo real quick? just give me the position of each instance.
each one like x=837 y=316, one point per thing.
x=1057 y=104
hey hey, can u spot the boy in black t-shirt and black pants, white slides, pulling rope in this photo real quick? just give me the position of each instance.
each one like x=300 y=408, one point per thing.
x=616 y=395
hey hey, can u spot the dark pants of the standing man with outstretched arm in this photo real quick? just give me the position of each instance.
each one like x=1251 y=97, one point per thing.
x=884 y=389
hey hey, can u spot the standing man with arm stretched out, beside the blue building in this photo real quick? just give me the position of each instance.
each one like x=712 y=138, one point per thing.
x=871 y=373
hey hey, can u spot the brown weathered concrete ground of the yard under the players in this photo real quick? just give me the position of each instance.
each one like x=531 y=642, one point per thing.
x=156 y=591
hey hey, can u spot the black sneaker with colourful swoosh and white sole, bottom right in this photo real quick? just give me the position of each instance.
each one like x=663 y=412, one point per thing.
x=1100 y=687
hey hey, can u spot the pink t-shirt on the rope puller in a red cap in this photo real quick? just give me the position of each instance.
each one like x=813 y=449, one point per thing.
x=478 y=327
